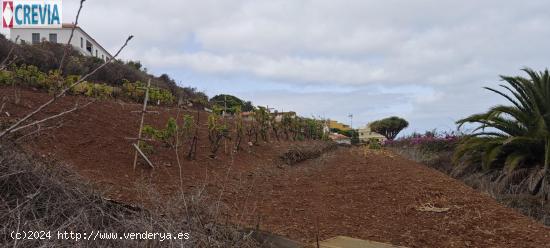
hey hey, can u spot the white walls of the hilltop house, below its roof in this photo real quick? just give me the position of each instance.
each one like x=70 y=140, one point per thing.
x=62 y=37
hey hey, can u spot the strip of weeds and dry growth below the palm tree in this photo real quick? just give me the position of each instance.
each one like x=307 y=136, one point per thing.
x=515 y=190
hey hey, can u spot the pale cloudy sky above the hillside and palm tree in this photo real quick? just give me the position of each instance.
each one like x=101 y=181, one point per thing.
x=424 y=60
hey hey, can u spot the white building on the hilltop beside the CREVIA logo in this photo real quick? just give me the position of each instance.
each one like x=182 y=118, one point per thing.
x=82 y=42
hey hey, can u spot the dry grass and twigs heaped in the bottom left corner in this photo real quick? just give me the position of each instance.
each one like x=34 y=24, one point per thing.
x=45 y=196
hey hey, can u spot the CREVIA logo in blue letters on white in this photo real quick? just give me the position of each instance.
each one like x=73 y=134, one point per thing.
x=32 y=14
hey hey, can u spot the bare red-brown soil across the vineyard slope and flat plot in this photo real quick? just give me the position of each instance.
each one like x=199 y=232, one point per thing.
x=344 y=192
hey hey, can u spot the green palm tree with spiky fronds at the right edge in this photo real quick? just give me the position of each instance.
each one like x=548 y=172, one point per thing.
x=513 y=136
